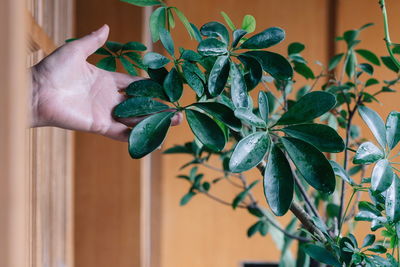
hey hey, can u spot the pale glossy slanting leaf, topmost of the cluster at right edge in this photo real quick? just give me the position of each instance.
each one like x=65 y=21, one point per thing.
x=375 y=124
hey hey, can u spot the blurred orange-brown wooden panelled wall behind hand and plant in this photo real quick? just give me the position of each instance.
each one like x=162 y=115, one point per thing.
x=121 y=212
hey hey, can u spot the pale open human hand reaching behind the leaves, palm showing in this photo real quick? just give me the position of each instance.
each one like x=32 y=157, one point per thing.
x=70 y=93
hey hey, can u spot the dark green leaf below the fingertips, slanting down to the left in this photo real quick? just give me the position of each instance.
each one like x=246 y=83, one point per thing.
x=149 y=134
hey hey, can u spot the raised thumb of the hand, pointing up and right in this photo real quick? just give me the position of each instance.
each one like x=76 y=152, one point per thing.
x=91 y=42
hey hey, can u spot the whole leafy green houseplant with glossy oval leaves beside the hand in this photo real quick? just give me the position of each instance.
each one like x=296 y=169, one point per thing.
x=289 y=134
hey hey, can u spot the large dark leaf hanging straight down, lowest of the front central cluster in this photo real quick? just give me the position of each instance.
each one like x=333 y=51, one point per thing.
x=278 y=182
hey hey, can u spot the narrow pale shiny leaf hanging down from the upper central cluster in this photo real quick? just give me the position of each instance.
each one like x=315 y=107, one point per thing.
x=238 y=87
